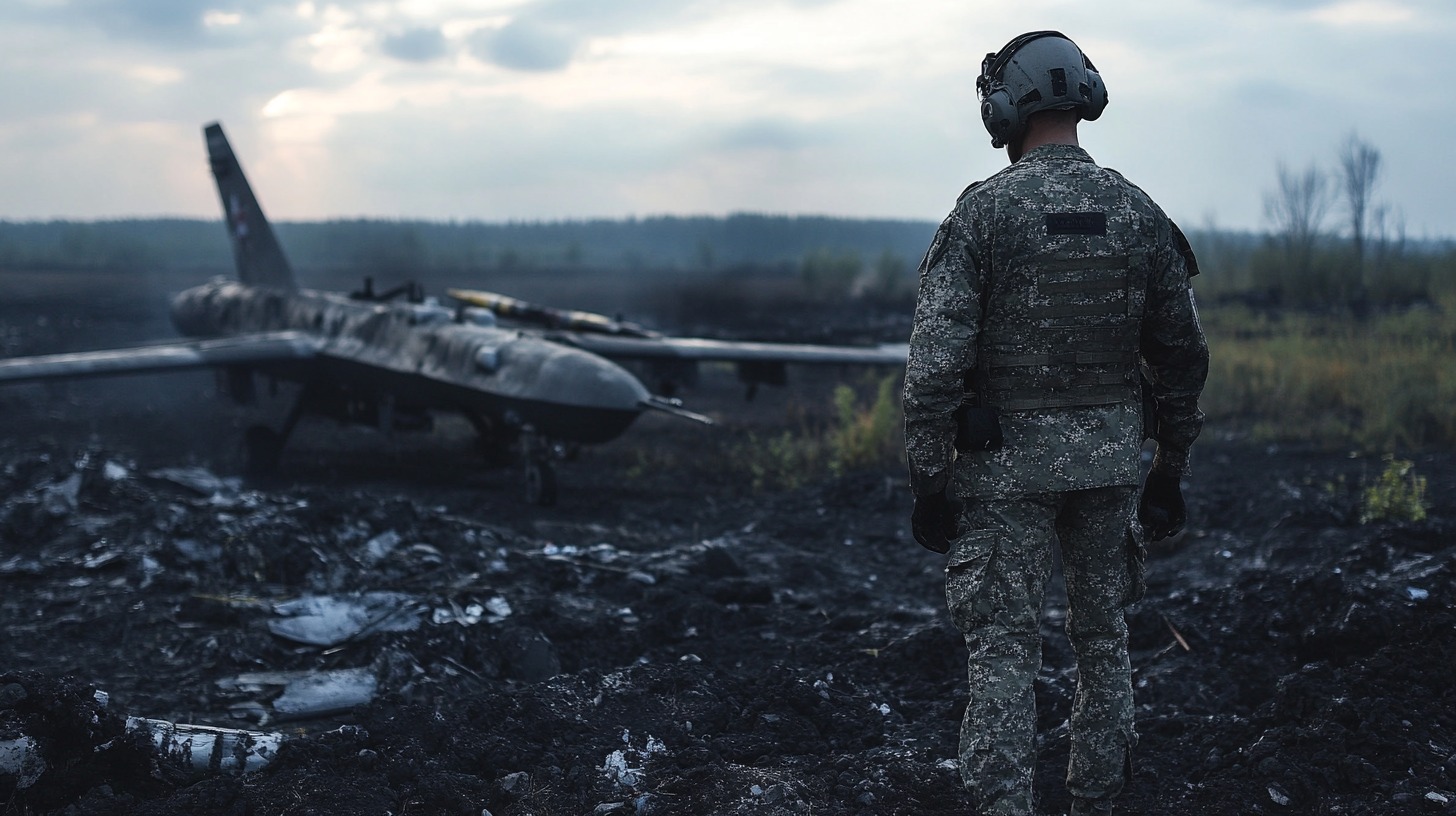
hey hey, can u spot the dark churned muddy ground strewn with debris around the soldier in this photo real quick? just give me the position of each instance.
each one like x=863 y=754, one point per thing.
x=666 y=642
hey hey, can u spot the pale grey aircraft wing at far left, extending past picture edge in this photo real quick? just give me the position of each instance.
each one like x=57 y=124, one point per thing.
x=242 y=350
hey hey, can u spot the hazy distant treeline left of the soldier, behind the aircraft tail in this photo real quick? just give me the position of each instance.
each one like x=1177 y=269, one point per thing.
x=391 y=247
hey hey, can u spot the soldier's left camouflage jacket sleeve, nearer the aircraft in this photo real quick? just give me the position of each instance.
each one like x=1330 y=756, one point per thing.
x=943 y=350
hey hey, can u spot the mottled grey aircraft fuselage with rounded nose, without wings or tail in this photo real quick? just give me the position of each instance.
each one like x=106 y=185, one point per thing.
x=404 y=356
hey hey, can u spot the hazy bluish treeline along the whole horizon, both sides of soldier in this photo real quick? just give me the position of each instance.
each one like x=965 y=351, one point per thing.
x=832 y=256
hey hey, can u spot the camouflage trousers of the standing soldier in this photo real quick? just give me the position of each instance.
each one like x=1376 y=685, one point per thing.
x=995 y=584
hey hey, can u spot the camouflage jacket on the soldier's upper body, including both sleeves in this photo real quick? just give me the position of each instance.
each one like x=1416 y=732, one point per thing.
x=1042 y=295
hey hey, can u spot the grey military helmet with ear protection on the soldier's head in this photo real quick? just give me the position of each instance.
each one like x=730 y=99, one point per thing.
x=1042 y=71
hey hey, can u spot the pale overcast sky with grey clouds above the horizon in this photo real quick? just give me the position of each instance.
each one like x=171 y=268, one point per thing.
x=528 y=110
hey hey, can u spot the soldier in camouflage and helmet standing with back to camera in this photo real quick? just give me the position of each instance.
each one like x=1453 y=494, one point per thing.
x=1052 y=301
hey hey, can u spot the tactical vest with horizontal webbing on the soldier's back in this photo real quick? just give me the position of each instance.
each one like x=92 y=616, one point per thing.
x=1064 y=331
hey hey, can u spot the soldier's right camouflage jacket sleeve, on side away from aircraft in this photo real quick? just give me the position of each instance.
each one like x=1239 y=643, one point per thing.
x=1176 y=352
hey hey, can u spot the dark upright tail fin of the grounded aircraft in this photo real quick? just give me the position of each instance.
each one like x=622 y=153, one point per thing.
x=256 y=250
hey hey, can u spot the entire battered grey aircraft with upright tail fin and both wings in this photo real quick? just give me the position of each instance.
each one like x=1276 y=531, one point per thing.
x=392 y=359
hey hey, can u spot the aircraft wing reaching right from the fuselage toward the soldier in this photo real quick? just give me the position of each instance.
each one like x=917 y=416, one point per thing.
x=689 y=349
